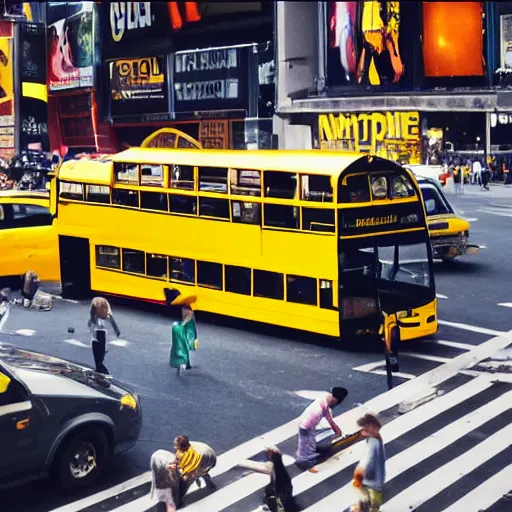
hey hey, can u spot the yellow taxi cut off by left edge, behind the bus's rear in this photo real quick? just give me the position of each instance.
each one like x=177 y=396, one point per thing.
x=27 y=237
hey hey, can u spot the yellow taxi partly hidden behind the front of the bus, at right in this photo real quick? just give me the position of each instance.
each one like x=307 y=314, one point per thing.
x=449 y=232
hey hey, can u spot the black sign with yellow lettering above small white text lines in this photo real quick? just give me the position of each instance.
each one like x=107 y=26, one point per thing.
x=138 y=86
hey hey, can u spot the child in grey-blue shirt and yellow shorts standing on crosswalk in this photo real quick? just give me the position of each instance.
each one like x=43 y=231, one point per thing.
x=370 y=473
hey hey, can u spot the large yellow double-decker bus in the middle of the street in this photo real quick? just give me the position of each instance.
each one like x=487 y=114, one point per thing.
x=316 y=241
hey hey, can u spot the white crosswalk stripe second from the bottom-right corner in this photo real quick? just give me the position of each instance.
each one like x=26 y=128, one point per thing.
x=448 y=474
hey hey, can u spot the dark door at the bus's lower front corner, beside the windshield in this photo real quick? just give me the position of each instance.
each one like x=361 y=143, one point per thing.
x=359 y=289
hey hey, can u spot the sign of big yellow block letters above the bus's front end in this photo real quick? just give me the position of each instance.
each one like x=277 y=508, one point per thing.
x=366 y=131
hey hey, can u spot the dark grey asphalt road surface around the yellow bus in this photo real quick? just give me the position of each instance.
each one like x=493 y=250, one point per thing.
x=249 y=379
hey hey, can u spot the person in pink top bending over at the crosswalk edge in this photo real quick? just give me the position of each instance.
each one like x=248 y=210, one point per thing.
x=307 y=450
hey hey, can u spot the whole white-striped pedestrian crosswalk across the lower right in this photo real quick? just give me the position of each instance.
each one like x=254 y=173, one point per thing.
x=450 y=453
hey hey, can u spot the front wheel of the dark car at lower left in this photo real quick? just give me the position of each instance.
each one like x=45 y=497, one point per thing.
x=84 y=459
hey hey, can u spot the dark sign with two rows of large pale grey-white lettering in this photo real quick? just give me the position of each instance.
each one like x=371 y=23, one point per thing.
x=216 y=79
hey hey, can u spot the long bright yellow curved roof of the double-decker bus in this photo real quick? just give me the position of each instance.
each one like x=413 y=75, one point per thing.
x=310 y=161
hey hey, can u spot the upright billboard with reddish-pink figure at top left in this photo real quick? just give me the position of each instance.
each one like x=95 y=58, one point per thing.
x=71 y=45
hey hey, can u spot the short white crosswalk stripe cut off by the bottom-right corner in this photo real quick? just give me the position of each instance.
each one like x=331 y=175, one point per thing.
x=486 y=494
